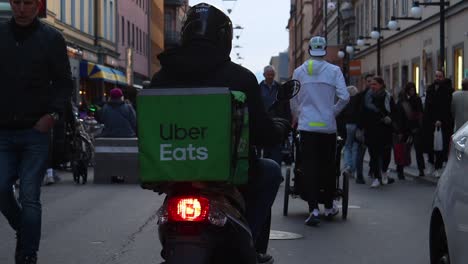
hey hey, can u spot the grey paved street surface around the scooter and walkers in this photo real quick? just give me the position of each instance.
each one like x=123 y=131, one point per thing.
x=115 y=224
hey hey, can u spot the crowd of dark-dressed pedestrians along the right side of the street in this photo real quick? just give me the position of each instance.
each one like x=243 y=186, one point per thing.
x=377 y=122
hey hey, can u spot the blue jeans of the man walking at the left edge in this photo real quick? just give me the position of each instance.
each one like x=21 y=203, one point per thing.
x=23 y=156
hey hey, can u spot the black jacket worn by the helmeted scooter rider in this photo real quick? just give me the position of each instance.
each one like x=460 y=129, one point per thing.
x=205 y=66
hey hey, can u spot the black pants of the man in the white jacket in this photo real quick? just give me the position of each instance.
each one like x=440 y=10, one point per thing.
x=318 y=159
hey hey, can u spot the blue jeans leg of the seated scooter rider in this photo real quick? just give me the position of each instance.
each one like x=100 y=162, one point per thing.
x=261 y=194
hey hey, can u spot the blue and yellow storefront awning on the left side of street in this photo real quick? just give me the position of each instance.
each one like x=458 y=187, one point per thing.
x=99 y=72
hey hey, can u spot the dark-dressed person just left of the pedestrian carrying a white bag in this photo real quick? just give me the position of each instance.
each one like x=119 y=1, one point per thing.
x=409 y=128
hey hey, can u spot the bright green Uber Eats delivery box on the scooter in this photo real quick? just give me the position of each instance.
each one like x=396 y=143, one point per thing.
x=186 y=134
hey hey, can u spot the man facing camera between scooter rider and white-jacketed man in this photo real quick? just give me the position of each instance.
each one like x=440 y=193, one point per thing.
x=269 y=90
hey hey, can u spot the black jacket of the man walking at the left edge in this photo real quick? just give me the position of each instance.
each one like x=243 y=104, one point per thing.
x=34 y=72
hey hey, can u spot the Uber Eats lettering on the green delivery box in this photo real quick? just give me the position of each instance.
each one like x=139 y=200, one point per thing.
x=173 y=133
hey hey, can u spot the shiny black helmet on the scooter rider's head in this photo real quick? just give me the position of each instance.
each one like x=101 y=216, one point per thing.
x=206 y=22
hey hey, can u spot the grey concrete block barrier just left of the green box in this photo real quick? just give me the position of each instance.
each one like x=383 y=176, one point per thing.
x=116 y=160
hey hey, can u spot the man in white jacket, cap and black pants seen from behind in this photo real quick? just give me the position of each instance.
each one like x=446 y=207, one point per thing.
x=322 y=97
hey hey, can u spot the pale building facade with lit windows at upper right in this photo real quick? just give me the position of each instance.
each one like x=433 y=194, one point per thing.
x=412 y=54
